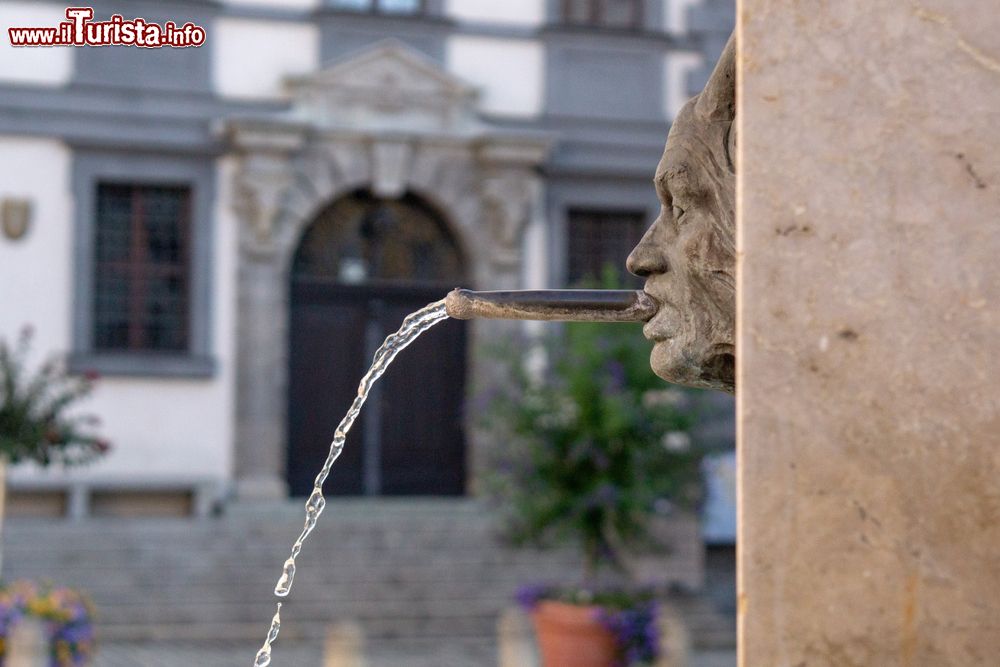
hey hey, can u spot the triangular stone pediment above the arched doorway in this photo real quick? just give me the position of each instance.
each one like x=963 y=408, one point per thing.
x=386 y=86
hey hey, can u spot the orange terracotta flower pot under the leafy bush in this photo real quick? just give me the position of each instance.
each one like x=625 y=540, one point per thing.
x=571 y=636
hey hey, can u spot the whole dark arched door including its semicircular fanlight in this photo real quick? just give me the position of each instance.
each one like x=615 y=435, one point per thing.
x=363 y=265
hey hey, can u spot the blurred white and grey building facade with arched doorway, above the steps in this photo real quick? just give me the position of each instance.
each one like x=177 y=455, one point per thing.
x=226 y=232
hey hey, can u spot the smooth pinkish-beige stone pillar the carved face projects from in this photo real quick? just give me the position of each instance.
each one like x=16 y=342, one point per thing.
x=869 y=333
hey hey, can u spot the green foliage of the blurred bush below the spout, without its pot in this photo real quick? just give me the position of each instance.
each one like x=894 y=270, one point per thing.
x=591 y=444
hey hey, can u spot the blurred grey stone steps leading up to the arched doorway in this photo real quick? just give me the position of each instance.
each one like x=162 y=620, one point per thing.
x=405 y=569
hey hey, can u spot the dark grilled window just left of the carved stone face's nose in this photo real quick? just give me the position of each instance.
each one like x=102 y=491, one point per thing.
x=598 y=239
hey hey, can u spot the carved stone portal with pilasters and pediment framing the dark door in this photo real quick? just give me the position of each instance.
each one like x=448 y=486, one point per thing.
x=390 y=121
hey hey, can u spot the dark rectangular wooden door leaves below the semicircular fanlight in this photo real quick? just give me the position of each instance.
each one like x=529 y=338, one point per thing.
x=409 y=438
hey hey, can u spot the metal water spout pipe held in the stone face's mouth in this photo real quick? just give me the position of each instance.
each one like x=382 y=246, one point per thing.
x=562 y=305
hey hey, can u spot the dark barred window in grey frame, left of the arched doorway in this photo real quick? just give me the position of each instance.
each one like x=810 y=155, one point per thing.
x=142 y=268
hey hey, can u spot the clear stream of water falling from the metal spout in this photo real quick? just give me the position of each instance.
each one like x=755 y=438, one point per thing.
x=415 y=324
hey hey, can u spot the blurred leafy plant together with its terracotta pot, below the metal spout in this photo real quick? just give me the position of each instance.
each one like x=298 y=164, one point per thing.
x=593 y=447
